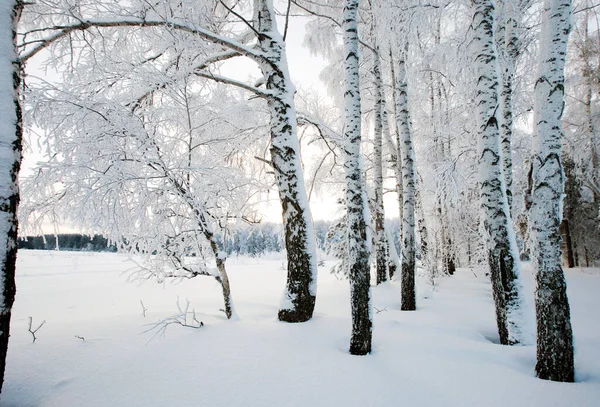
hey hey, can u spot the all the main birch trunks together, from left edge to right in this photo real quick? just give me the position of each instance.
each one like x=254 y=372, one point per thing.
x=493 y=111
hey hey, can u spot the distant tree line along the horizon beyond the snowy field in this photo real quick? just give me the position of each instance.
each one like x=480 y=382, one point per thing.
x=252 y=240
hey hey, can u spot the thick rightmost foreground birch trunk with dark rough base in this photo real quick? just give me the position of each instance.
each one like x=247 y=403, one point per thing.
x=554 y=333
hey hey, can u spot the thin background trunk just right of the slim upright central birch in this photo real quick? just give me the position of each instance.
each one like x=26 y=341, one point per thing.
x=380 y=236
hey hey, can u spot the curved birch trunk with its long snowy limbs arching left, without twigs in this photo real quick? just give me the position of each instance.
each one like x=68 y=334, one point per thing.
x=299 y=297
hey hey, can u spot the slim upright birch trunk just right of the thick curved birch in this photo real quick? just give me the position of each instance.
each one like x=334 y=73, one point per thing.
x=358 y=252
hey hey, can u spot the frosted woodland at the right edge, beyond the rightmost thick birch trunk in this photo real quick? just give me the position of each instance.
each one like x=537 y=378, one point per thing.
x=581 y=142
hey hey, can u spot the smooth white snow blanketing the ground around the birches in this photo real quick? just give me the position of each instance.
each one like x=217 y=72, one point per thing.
x=443 y=354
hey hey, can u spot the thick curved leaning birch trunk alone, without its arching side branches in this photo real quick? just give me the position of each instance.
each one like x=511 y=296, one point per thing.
x=301 y=288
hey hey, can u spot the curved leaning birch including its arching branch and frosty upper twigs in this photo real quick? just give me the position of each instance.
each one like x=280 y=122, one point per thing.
x=219 y=31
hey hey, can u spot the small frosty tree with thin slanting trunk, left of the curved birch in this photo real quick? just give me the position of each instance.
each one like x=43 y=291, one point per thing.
x=158 y=181
